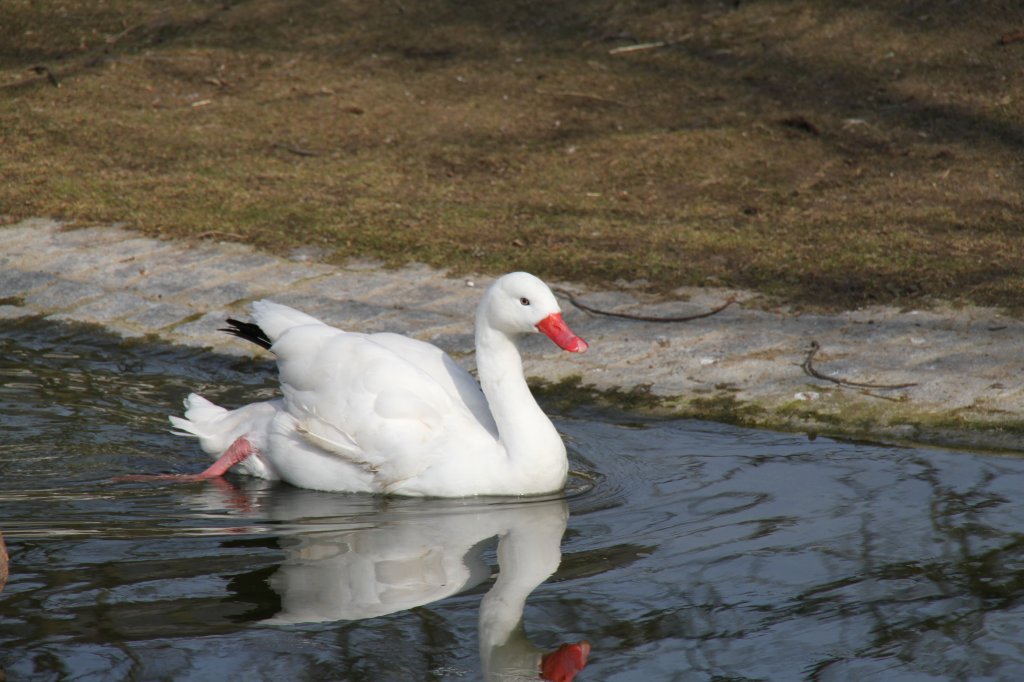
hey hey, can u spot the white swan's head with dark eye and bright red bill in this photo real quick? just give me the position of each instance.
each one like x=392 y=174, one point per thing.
x=521 y=304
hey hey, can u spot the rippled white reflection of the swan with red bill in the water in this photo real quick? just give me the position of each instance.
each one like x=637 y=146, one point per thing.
x=407 y=556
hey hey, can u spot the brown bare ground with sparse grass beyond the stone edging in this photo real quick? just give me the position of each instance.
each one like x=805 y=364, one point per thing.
x=828 y=154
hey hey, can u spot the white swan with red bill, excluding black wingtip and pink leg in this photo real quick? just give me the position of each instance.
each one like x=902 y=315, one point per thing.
x=382 y=413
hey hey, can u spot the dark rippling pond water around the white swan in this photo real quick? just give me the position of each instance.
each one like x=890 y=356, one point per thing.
x=682 y=551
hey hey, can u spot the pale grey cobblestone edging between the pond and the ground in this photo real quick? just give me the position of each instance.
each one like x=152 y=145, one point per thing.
x=743 y=365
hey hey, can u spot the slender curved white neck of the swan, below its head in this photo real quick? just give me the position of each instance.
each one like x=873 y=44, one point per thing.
x=531 y=442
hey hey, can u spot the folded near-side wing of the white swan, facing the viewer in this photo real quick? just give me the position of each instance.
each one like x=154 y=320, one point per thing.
x=360 y=401
